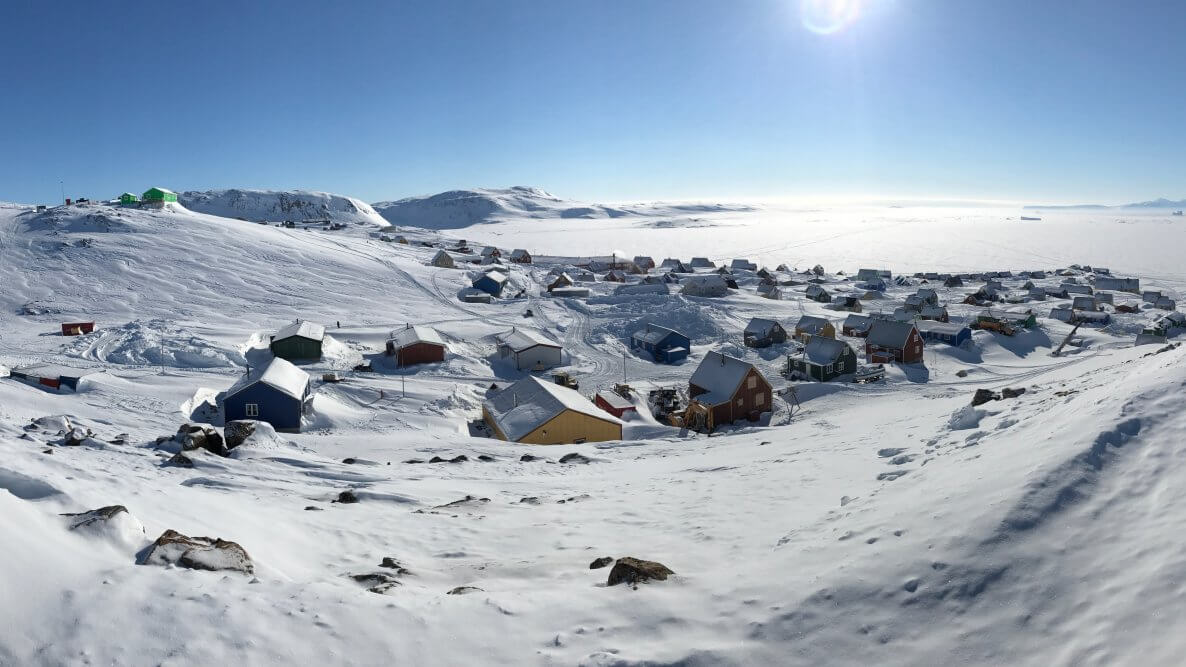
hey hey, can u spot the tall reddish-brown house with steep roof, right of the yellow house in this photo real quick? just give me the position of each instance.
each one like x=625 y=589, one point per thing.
x=725 y=390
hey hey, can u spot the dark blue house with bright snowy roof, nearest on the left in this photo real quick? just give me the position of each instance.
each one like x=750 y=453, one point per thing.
x=280 y=396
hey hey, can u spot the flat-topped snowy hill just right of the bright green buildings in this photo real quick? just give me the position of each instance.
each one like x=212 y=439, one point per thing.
x=272 y=206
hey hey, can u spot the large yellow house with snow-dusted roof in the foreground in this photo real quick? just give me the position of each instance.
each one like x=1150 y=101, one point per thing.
x=535 y=412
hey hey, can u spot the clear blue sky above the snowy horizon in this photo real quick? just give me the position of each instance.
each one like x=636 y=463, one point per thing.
x=609 y=100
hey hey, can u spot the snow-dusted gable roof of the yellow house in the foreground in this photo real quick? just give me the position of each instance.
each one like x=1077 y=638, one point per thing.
x=532 y=403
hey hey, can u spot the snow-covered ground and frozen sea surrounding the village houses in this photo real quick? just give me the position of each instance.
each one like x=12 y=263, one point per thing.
x=888 y=524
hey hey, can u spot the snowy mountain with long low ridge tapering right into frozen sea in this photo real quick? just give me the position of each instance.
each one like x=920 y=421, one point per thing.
x=464 y=208
